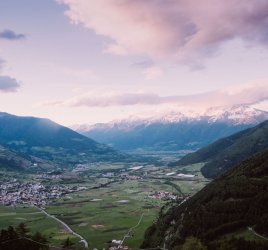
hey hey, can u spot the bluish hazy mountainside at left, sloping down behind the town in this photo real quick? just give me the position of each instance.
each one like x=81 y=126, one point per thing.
x=50 y=141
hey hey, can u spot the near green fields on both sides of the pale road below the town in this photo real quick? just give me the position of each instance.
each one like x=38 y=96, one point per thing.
x=97 y=221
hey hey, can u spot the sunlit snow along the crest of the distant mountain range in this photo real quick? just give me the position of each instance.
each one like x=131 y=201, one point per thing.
x=235 y=115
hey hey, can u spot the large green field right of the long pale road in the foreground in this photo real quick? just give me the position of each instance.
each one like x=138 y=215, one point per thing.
x=109 y=218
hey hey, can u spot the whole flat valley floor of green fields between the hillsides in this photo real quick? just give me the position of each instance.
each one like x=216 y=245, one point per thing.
x=108 y=202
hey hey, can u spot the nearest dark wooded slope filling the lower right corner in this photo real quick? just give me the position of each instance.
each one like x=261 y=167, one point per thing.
x=228 y=205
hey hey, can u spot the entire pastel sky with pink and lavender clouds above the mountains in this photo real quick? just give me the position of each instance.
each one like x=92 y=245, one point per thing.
x=90 y=61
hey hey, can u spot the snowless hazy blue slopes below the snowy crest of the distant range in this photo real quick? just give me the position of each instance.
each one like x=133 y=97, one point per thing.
x=170 y=136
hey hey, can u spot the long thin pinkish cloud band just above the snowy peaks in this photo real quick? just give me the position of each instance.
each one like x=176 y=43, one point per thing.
x=249 y=94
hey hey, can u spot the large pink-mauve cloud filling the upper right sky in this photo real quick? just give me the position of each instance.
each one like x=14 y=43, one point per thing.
x=182 y=29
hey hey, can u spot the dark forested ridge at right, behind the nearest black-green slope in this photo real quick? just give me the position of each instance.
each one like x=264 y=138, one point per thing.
x=227 y=152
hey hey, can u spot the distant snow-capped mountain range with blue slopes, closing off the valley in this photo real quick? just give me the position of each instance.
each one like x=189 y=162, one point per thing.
x=175 y=130
